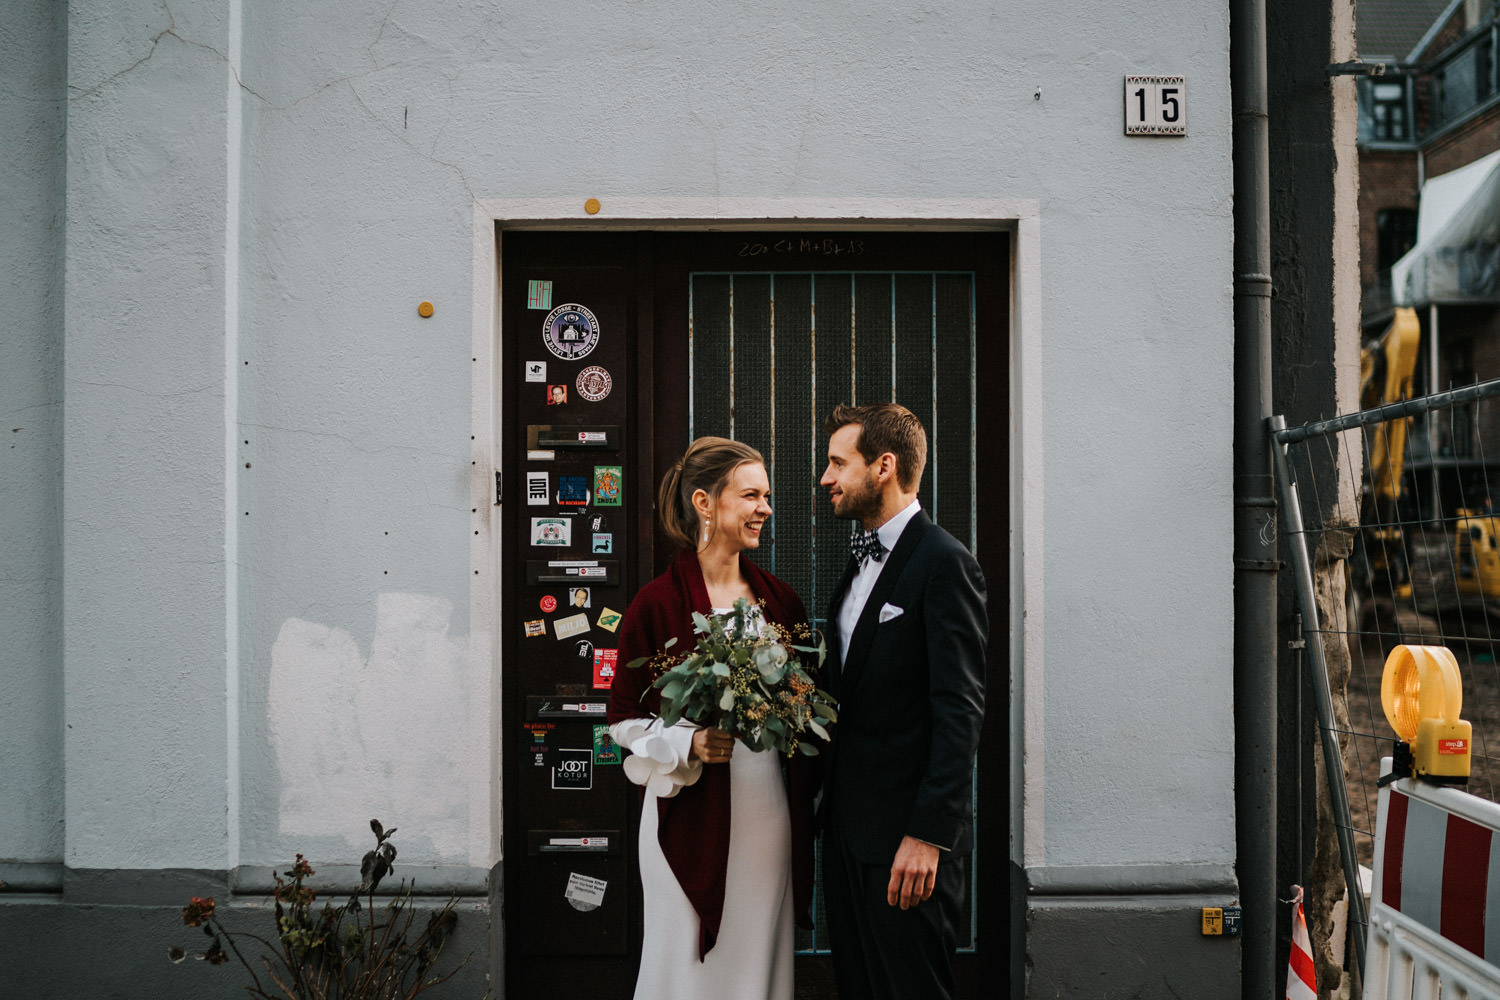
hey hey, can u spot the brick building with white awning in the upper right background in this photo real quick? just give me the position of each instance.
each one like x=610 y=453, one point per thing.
x=1429 y=128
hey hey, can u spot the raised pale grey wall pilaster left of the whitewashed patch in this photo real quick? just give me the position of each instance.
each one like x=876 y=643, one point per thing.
x=145 y=410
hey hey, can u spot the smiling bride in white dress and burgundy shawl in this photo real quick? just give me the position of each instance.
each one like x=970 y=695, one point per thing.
x=727 y=834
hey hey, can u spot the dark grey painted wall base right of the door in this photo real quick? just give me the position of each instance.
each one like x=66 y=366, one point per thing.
x=1118 y=948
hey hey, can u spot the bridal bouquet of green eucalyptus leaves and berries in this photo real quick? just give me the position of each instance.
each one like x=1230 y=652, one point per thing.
x=745 y=678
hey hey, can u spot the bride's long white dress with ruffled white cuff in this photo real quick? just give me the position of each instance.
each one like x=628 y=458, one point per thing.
x=754 y=956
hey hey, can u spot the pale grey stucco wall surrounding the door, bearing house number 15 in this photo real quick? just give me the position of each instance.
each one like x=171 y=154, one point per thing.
x=269 y=630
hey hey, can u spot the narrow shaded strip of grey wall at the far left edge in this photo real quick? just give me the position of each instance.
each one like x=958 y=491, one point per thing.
x=32 y=116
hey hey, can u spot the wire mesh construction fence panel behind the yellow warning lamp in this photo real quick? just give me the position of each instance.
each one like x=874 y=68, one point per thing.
x=1405 y=503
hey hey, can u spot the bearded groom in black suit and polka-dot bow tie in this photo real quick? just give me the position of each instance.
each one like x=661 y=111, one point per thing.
x=907 y=662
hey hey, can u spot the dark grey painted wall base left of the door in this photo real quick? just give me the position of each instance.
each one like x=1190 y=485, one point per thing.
x=107 y=945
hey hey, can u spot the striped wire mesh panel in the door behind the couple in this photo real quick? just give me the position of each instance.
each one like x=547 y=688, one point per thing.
x=773 y=353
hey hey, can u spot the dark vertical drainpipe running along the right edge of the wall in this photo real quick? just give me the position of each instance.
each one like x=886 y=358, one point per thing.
x=1255 y=509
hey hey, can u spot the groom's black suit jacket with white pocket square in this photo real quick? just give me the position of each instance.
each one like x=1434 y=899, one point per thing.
x=911 y=699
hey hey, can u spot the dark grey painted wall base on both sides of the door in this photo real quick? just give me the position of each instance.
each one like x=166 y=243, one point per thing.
x=107 y=936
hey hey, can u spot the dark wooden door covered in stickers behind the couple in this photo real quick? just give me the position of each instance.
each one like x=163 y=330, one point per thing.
x=754 y=337
